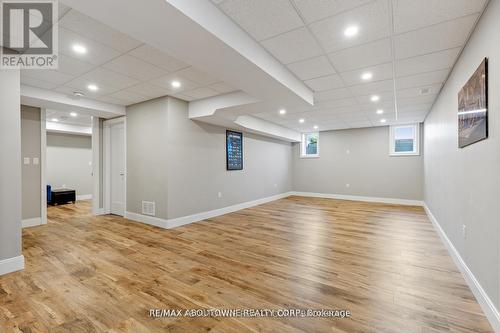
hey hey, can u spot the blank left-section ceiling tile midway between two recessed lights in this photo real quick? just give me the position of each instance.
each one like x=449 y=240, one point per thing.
x=135 y=68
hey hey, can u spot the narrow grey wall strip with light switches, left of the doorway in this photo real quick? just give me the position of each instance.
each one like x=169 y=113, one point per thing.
x=31 y=173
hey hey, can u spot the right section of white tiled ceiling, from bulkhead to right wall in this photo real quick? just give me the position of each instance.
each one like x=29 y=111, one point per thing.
x=409 y=46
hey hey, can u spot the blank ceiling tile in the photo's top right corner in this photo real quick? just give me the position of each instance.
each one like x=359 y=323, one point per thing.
x=411 y=14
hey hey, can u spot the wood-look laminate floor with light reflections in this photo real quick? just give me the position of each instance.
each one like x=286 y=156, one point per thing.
x=384 y=263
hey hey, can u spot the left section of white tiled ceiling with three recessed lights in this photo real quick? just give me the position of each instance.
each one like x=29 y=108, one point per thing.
x=126 y=71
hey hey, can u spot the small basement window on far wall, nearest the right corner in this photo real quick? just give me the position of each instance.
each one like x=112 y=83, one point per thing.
x=405 y=140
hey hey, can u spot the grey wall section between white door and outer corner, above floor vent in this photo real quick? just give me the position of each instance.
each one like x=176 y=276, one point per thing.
x=147 y=155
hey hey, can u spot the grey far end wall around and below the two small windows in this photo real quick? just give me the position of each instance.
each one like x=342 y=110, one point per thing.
x=368 y=168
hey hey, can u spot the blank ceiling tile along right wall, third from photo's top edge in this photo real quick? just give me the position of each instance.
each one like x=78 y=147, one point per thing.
x=427 y=63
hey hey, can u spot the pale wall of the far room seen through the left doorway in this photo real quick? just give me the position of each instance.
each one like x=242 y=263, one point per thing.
x=69 y=159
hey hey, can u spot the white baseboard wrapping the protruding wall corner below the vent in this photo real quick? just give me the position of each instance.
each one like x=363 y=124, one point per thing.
x=180 y=221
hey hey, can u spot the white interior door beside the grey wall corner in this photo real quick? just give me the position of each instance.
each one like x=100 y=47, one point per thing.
x=117 y=169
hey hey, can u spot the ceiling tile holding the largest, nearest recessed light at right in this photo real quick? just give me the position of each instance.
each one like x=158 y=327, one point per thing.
x=372 y=20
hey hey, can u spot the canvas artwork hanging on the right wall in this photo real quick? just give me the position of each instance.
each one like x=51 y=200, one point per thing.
x=473 y=108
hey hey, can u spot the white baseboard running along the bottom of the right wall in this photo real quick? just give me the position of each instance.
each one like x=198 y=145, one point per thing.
x=482 y=297
